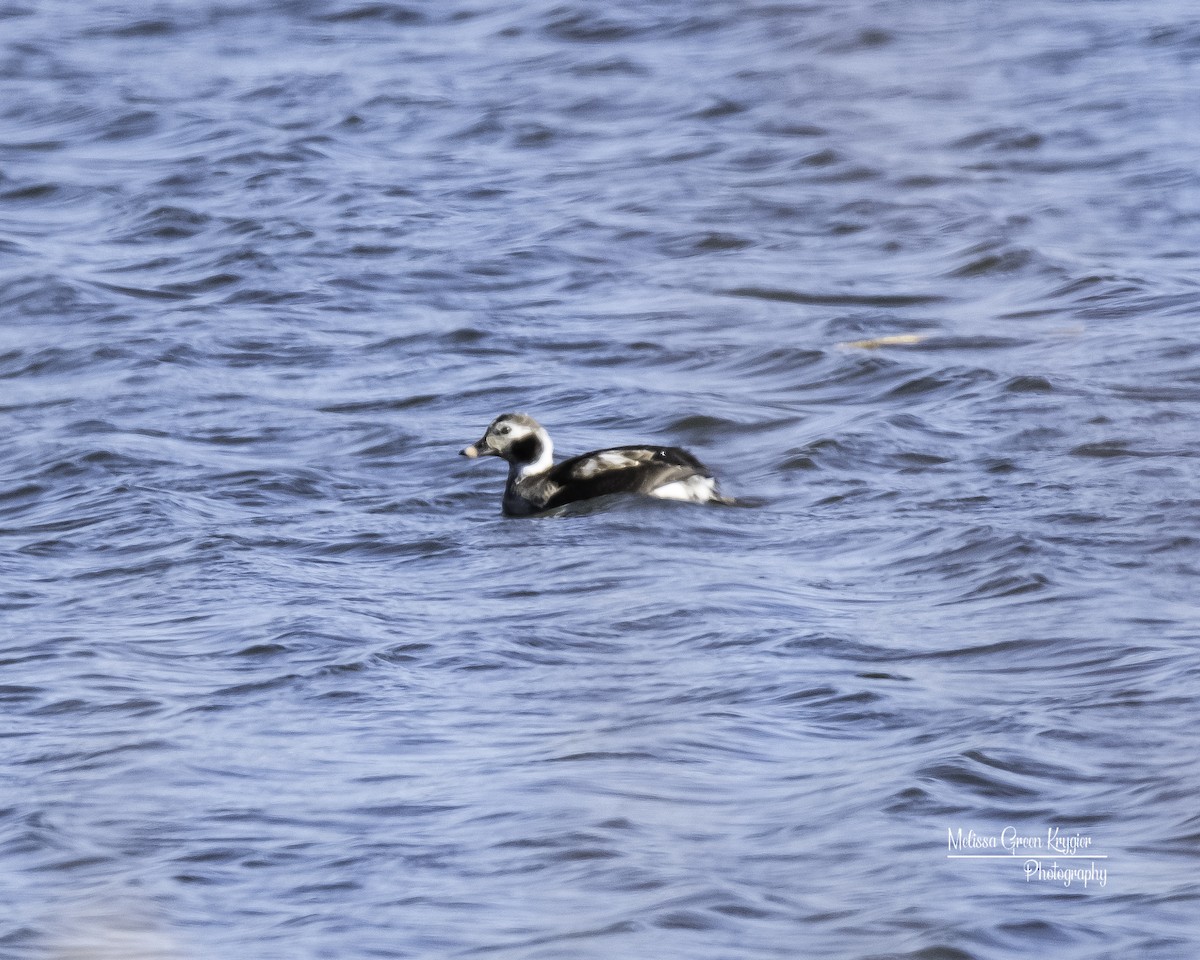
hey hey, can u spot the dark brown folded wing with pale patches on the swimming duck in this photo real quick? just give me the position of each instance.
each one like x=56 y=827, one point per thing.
x=621 y=470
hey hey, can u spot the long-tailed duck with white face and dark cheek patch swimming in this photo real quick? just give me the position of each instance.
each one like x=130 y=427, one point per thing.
x=537 y=485
